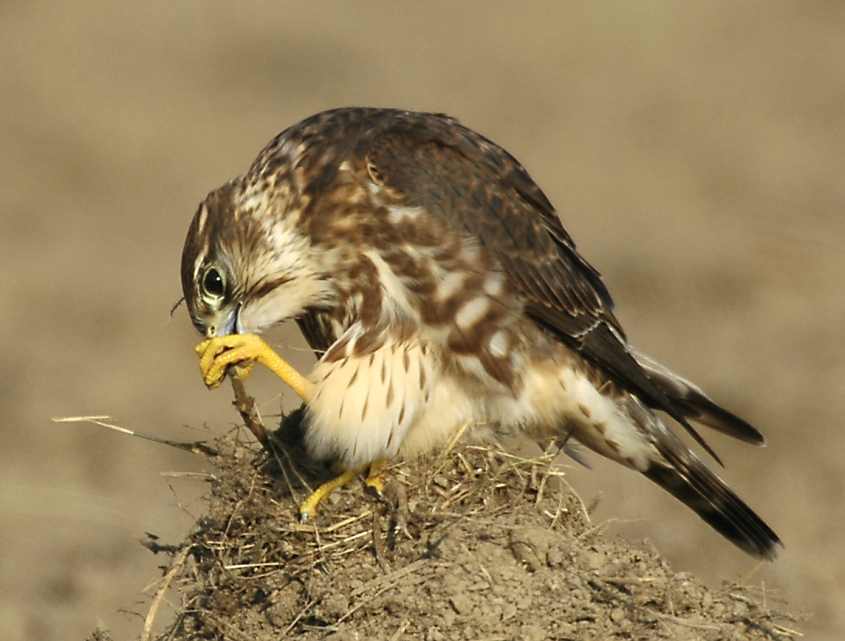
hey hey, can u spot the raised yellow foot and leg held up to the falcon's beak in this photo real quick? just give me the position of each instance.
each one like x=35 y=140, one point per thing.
x=218 y=353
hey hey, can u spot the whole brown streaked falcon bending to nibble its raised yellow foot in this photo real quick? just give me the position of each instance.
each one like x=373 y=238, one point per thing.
x=439 y=289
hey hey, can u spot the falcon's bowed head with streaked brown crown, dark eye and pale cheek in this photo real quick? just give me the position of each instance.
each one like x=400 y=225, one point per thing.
x=245 y=265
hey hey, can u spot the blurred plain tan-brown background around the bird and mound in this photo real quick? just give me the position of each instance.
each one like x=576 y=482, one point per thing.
x=694 y=152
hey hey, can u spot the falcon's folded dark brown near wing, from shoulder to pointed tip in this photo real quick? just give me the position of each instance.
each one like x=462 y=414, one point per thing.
x=480 y=189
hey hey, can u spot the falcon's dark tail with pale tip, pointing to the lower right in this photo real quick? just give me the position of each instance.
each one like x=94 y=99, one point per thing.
x=681 y=473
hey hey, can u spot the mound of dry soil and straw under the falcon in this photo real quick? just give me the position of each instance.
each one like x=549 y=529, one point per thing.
x=473 y=544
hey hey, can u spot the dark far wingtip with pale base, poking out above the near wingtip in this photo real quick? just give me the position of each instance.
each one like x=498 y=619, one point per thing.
x=695 y=404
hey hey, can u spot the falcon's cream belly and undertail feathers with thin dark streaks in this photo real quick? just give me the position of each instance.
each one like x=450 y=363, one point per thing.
x=398 y=402
